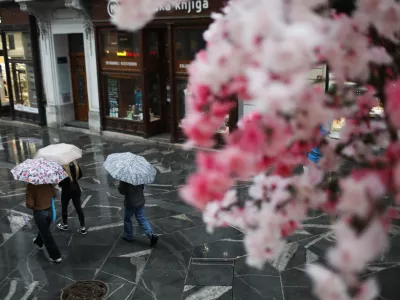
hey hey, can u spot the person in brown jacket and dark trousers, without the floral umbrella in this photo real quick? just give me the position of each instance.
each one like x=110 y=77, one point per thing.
x=39 y=198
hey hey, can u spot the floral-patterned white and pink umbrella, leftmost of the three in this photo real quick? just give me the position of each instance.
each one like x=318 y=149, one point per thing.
x=39 y=171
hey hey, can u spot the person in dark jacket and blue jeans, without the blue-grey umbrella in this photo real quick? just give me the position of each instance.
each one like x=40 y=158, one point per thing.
x=134 y=205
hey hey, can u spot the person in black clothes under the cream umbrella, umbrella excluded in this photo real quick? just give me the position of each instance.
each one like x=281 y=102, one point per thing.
x=71 y=190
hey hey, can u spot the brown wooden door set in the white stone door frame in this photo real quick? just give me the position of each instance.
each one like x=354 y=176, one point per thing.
x=78 y=77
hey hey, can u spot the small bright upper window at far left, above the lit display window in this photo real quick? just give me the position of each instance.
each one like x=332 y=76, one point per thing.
x=19 y=45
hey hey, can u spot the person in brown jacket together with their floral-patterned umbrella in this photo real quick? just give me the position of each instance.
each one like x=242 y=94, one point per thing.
x=40 y=175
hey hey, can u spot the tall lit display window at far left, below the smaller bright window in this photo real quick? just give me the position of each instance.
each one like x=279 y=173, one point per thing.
x=23 y=87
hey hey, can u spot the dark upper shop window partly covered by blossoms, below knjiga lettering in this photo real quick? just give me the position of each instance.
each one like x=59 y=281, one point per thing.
x=188 y=43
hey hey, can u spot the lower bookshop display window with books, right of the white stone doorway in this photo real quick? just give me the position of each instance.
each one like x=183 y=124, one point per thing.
x=124 y=98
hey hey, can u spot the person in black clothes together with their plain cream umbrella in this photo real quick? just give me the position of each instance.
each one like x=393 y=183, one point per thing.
x=66 y=155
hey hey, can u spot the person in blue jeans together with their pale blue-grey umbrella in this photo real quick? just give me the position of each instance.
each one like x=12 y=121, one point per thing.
x=133 y=172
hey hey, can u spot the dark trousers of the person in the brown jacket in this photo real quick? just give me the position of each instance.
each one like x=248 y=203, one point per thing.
x=43 y=220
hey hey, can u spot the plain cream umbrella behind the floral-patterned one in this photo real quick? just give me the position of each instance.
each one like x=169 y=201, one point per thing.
x=60 y=153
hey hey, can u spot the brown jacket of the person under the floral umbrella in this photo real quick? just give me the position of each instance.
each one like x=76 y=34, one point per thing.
x=38 y=197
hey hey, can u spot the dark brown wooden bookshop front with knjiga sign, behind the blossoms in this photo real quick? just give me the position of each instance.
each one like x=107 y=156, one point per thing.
x=144 y=74
